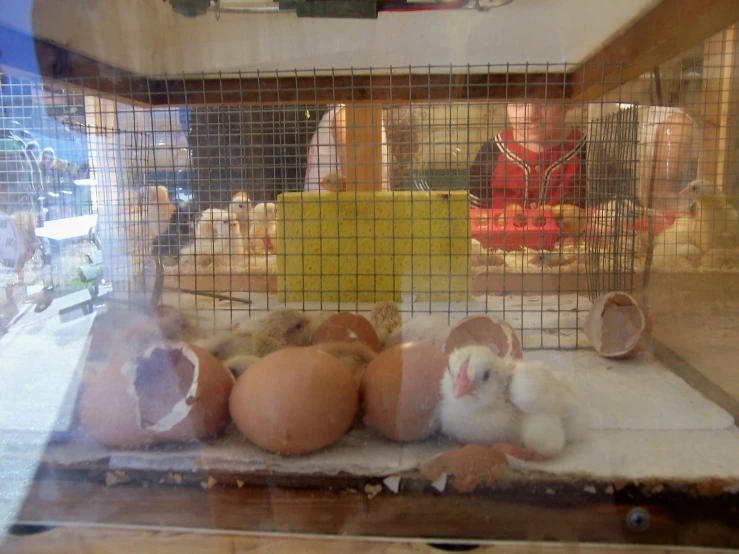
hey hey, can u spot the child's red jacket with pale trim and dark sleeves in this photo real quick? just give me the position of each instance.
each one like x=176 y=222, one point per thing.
x=504 y=172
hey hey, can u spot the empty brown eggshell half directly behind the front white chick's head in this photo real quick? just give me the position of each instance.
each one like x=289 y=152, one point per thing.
x=496 y=333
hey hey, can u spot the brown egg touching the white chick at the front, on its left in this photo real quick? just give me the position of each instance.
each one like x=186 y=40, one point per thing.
x=400 y=390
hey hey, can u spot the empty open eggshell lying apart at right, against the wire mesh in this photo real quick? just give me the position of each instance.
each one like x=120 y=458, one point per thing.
x=616 y=325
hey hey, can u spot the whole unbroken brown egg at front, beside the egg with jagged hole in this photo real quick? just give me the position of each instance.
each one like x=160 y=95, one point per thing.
x=294 y=401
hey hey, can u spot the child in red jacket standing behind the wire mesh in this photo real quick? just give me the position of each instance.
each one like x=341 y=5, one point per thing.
x=538 y=159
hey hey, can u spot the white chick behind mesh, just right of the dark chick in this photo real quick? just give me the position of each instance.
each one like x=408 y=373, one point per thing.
x=217 y=239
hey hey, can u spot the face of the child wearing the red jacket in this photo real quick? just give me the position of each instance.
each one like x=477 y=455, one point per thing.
x=538 y=122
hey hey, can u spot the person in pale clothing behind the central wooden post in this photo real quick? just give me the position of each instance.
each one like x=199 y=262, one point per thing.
x=326 y=156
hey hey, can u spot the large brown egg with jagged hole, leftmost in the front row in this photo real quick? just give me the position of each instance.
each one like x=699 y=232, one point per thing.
x=173 y=392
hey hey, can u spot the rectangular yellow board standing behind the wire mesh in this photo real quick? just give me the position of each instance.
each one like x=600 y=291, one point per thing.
x=372 y=246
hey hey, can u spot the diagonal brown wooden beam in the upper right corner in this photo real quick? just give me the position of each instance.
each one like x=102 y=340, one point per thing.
x=670 y=28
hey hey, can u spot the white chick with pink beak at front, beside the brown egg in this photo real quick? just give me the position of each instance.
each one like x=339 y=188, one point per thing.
x=474 y=406
